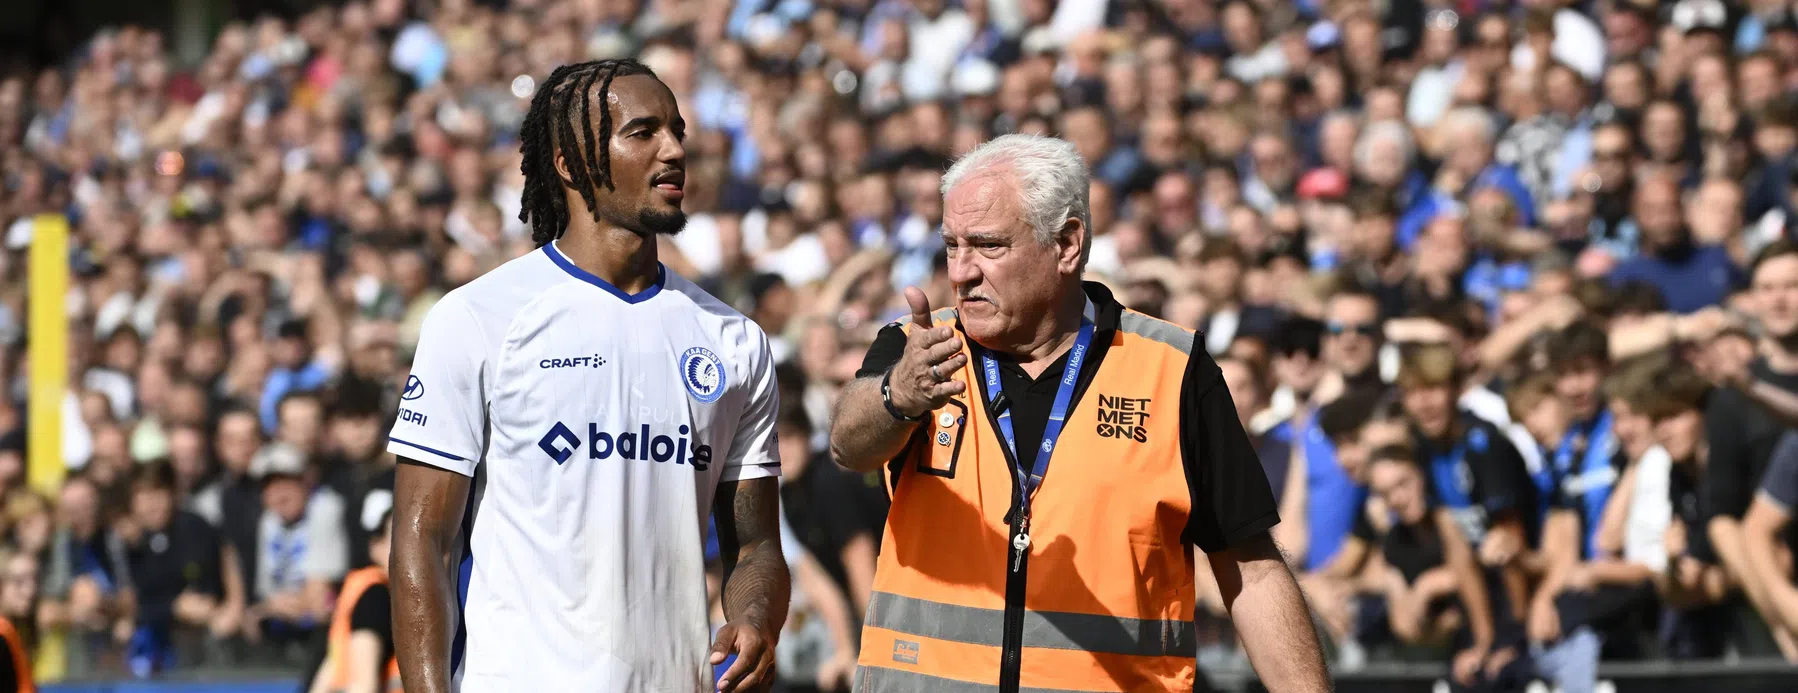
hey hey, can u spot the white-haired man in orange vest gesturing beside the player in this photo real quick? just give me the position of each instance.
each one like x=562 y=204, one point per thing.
x=1002 y=571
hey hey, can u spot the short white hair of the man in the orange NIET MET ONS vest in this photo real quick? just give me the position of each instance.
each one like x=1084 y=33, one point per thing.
x=1053 y=183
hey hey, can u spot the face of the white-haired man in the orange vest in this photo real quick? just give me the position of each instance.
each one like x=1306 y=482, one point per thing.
x=1006 y=283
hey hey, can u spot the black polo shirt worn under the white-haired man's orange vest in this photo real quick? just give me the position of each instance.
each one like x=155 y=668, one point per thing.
x=1233 y=499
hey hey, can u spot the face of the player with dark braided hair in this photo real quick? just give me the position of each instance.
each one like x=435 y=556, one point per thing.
x=648 y=157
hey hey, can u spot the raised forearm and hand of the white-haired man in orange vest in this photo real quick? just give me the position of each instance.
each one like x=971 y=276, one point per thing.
x=864 y=435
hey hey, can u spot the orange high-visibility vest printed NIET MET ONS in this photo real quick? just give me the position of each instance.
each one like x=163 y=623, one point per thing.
x=1105 y=597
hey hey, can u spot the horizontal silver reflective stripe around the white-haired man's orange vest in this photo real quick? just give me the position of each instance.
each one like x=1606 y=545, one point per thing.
x=1051 y=631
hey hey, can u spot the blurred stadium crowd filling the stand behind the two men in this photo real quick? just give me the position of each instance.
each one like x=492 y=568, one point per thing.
x=1535 y=253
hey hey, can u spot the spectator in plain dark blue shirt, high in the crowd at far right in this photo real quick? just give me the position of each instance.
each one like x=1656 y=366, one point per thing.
x=1691 y=276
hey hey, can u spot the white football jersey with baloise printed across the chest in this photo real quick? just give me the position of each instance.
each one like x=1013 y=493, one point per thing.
x=598 y=427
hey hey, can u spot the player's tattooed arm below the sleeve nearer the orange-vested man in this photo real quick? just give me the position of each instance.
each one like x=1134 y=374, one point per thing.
x=749 y=539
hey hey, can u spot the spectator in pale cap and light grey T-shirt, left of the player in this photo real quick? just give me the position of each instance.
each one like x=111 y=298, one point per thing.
x=303 y=550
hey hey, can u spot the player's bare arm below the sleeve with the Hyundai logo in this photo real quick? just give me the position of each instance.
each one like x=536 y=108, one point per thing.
x=429 y=505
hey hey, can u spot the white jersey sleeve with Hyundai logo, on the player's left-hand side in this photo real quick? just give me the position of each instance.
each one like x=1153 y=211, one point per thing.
x=443 y=406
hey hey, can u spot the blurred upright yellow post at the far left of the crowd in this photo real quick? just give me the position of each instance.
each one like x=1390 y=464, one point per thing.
x=48 y=350
